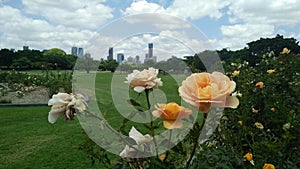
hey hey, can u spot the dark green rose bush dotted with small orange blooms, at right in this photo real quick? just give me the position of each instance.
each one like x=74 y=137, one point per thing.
x=275 y=106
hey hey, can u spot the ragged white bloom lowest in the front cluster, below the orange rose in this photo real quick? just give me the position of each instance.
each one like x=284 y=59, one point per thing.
x=141 y=141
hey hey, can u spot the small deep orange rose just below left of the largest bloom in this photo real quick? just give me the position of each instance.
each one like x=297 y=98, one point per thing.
x=171 y=113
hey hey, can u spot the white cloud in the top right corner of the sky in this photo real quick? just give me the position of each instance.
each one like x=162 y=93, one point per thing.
x=276 y=12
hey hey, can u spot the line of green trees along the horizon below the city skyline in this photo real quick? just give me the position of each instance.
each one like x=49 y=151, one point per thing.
x=58 y=59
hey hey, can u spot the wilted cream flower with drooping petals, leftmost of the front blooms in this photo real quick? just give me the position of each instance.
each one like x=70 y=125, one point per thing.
x=65 y=104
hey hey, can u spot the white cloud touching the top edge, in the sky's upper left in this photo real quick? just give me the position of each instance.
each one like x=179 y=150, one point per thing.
x=71 y=13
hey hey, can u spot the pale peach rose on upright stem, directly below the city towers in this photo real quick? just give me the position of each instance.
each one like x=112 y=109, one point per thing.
x=141 y=80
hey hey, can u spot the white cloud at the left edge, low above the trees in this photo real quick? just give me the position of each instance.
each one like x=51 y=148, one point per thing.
x=18 y=30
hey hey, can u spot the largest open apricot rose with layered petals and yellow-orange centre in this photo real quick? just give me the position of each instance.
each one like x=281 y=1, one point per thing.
x=203 y=90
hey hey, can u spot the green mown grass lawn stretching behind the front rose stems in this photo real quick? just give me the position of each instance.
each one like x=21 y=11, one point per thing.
x=29 y=141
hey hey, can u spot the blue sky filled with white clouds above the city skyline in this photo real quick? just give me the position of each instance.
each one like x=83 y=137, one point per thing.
x=175 y=27
